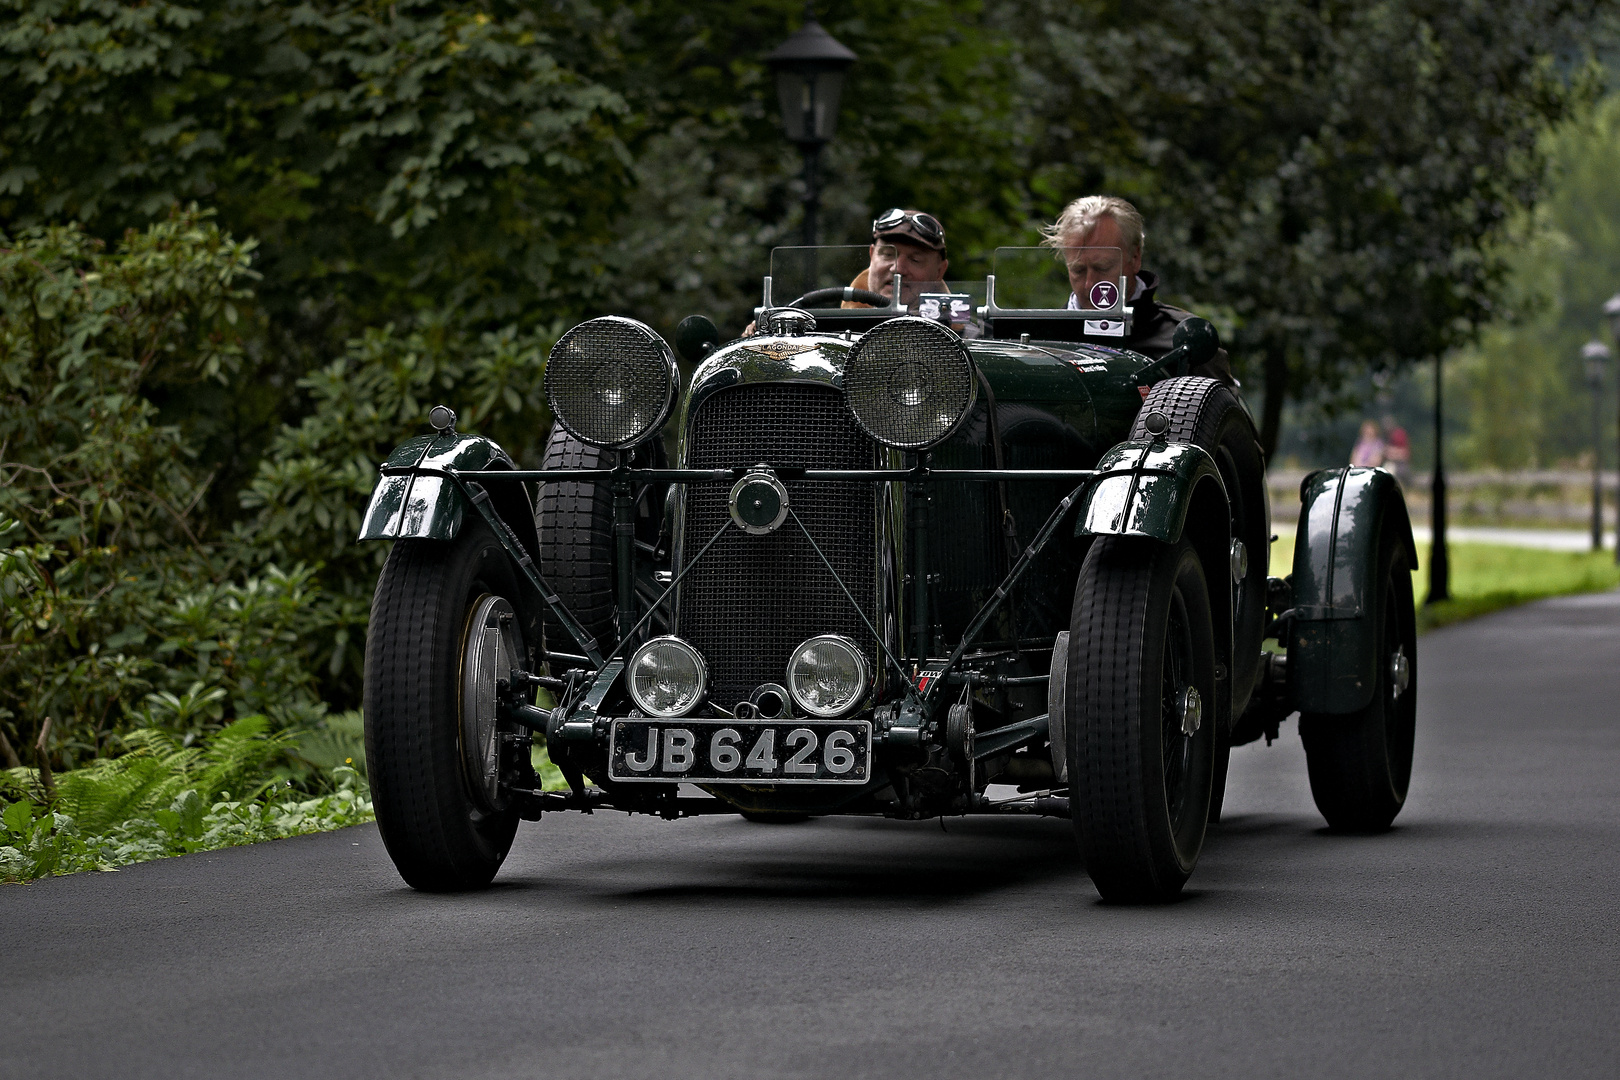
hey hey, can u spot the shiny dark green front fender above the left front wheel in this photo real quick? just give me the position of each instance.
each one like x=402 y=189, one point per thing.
x=417 y=500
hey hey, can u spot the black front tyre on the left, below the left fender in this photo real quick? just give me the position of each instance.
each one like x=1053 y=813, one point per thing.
x=433 y=747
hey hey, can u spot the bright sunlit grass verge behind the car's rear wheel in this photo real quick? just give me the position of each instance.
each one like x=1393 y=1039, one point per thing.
x=1491 y=577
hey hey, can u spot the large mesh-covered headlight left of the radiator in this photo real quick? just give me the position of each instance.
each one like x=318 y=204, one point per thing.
x=612 y=381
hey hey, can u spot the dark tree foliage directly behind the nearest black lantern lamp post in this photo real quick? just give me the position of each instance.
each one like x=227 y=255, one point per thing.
x=929 y=119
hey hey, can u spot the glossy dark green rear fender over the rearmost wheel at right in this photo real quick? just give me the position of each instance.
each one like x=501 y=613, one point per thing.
x=1332 y=640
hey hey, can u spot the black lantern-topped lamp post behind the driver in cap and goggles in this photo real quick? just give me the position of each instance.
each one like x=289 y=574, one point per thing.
x=809 y=82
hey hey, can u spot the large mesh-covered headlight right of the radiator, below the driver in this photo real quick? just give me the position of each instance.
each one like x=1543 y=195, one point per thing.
x=910 y=383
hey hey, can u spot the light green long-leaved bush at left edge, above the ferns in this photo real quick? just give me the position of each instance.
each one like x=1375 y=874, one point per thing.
x=111 y=585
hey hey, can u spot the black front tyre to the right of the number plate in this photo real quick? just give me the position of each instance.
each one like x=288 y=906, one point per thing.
x=1140 y=783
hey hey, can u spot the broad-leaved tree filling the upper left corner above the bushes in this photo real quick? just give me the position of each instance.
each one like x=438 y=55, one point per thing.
x=391 y=159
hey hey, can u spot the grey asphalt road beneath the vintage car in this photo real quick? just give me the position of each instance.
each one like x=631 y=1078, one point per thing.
x=1478 y=938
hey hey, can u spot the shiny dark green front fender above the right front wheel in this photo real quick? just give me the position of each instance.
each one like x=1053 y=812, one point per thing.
x=1146 y=490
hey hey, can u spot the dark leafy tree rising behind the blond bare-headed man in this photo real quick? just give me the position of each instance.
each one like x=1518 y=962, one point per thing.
x=1332 y=177
